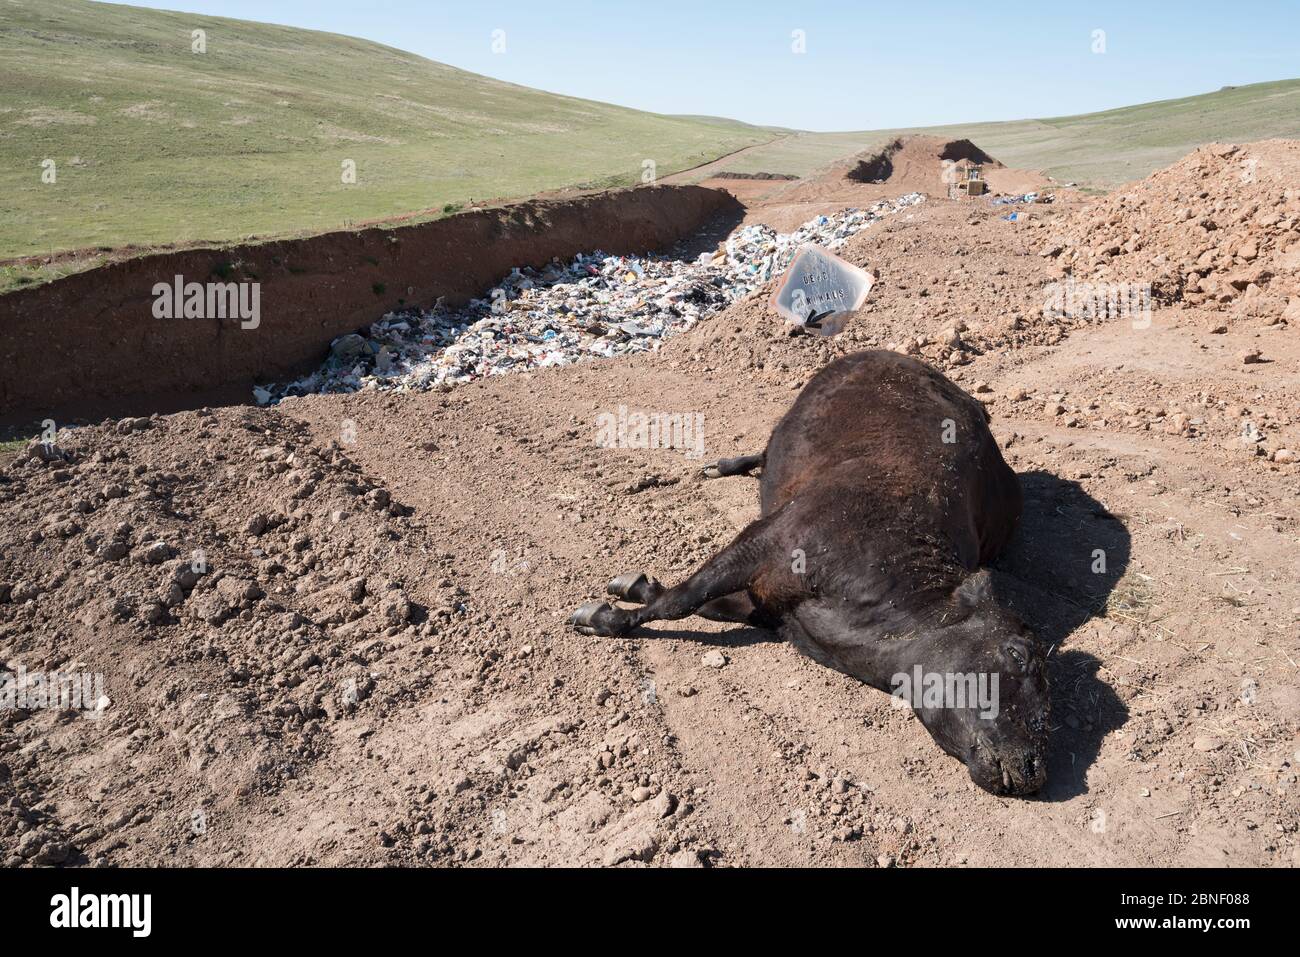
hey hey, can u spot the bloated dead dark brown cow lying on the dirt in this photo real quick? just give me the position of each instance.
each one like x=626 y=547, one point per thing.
x=882 y=495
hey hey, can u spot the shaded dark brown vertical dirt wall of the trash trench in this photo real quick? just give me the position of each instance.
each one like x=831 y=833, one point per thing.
x=93 y=344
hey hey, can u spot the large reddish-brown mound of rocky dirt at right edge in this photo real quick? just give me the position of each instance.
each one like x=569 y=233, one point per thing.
x=1216 y=229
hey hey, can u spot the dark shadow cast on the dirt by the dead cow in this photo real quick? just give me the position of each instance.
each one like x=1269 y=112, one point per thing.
x=1069 y=555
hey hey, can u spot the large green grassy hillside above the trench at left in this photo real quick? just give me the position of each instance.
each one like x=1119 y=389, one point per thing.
x=155 y=144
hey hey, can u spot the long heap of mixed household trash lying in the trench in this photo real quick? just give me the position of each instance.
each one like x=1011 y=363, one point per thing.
x=597 y=306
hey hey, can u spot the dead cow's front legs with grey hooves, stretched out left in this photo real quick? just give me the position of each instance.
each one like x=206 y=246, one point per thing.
x=727 y=573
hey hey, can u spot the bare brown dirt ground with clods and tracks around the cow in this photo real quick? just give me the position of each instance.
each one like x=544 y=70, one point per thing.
x=333 y=630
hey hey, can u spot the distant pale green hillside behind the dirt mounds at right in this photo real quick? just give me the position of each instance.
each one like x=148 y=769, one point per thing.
x=1098 y=150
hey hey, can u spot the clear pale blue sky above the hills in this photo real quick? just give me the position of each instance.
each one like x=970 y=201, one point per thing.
x=868 y=64
